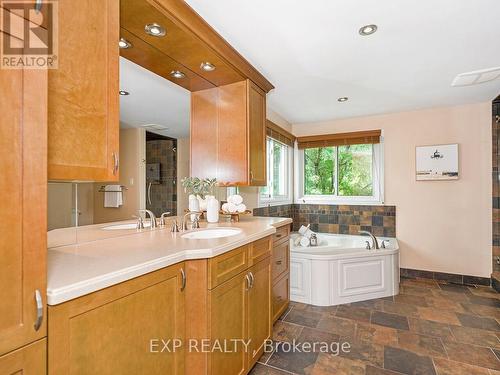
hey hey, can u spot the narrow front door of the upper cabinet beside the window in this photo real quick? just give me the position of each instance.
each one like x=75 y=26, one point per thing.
x=256 y=135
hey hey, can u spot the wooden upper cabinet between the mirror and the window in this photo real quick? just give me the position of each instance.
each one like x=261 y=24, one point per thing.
x=228 y=135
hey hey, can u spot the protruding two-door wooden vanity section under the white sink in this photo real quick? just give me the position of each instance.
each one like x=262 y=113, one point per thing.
x=229 y=298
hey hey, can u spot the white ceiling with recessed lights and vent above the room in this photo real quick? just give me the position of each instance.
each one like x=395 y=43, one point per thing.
x=312 y=52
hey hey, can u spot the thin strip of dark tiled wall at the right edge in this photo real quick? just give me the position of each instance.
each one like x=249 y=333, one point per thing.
x=496 y=188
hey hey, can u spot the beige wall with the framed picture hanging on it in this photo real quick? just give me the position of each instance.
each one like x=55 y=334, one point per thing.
x=442 y=226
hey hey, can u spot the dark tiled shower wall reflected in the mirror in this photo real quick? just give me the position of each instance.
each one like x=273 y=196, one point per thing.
x=163 y=195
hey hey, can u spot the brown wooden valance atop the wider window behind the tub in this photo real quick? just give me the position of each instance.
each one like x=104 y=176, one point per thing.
x=340 y=139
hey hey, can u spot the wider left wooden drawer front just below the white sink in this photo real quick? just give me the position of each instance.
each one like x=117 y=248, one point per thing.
x=223 y=267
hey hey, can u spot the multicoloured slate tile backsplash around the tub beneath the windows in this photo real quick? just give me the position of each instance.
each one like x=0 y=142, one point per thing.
x=342 y=219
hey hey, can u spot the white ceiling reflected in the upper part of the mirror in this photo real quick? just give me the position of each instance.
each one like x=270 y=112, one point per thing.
x=152 y=100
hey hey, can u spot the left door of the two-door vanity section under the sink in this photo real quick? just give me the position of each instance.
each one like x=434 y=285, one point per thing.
x=228 y=322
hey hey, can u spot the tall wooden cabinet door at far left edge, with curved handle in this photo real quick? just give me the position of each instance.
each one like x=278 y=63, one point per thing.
x=23 y=202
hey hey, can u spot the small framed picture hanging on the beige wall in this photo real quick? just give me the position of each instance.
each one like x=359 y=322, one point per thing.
x=437 y=162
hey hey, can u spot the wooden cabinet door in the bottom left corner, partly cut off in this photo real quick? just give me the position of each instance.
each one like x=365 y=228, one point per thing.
x=29 y=360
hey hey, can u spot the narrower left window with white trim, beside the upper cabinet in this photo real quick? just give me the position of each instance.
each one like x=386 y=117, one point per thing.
x=279 y=165
